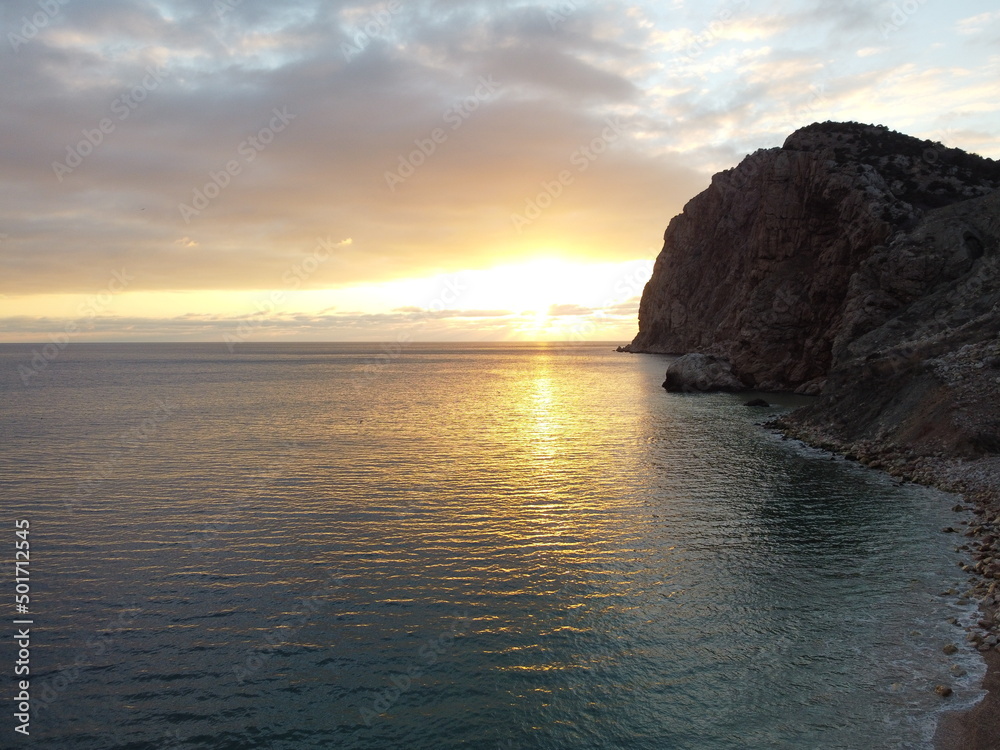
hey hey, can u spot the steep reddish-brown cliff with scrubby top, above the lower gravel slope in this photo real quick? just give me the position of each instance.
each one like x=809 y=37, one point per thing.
x=831 y=248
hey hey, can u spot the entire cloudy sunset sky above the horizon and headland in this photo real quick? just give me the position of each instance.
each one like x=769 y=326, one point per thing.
x=244 y=170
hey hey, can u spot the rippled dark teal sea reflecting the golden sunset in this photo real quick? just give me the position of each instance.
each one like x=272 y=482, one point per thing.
x=443 y=546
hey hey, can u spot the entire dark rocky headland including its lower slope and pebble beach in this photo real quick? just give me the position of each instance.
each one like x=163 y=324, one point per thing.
x=861 y=266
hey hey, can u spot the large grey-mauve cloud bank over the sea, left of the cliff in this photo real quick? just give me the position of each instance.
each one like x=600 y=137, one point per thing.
x=258 y=191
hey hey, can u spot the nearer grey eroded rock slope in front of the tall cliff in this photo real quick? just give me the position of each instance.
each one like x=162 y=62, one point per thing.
x=916 y=362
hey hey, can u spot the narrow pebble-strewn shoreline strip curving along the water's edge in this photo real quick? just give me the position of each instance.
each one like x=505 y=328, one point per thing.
x=978 y=483
